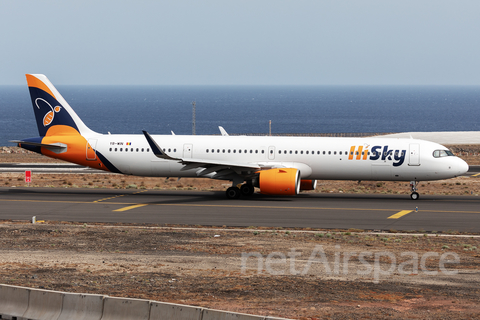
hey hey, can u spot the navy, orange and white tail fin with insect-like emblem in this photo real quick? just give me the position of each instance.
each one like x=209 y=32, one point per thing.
x=52 y=112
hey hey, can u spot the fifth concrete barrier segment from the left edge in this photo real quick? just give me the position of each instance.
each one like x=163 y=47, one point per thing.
x=171 y=311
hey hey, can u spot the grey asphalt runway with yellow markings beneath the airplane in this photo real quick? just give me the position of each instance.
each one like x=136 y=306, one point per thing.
x=343 y=211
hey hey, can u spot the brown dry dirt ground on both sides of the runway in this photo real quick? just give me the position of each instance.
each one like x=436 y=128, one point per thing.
x=299 y=274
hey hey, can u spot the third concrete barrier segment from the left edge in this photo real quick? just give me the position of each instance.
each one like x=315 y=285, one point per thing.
x=81 y=307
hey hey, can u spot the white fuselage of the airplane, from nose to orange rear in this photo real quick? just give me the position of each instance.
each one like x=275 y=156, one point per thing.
x=317 y=158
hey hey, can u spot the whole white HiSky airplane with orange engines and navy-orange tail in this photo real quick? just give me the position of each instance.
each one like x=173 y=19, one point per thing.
x=275 y=165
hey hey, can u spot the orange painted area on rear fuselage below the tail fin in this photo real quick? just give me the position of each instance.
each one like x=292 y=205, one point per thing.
x=76 y=146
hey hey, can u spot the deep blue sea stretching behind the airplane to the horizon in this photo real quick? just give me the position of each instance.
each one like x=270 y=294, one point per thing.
x=248 y=109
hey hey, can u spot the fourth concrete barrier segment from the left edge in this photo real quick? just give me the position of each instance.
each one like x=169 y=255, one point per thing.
x=128 y=309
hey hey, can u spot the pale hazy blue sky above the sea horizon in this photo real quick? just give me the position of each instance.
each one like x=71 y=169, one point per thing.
x=248 y=42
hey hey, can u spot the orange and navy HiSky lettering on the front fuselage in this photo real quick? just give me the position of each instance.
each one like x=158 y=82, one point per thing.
x=377 y=153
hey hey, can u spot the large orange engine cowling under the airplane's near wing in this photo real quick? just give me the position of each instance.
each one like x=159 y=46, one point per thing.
x=285 y=181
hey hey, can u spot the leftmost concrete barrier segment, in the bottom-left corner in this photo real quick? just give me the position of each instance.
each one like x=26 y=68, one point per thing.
x=13 y=300
